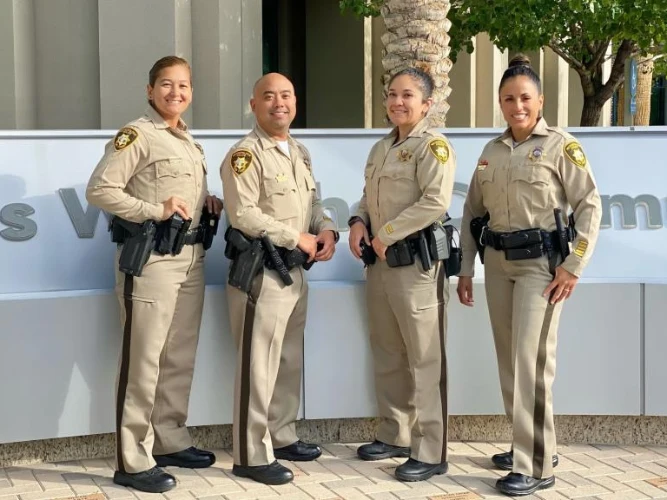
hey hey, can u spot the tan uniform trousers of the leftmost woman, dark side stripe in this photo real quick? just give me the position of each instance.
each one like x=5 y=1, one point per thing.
x=160 y=315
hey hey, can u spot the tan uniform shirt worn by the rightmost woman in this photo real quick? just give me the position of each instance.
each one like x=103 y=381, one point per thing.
x=520 y=187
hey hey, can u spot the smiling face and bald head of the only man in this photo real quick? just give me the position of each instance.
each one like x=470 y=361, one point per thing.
x=274 y=105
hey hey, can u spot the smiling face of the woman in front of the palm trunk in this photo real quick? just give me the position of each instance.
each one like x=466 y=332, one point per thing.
x=406 y=105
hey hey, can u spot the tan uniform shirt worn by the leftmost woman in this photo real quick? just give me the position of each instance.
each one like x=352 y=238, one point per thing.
x=147 y=163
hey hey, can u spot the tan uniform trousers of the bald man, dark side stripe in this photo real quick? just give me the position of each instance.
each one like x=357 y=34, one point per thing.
x=268 y=325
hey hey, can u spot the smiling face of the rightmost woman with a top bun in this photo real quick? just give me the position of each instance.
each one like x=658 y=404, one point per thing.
x=521 y=103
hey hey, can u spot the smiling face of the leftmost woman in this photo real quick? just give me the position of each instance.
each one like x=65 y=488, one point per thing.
x=172 y=93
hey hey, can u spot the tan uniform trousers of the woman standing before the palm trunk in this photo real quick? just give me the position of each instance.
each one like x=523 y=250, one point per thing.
x=408 y=325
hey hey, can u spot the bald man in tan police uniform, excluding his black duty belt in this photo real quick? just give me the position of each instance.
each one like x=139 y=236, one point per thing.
x=269 y=186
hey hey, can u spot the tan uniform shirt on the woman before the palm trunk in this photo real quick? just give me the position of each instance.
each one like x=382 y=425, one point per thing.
x=408 y=184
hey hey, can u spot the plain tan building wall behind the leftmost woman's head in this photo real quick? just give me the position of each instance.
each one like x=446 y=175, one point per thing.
x=83 y=64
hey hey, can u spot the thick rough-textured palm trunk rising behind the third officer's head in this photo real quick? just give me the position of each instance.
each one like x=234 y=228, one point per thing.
x=417 y=37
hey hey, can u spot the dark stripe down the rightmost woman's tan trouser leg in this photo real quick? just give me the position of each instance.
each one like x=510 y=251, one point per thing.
x=540 y=395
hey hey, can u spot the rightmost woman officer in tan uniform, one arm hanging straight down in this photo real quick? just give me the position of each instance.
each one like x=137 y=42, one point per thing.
x=521 y=177
